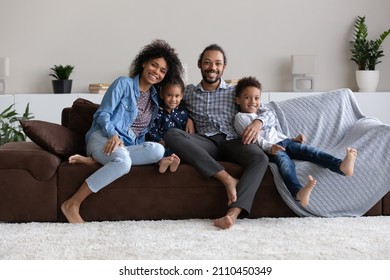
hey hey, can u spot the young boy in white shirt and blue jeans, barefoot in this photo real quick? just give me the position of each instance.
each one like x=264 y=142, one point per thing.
x=282 y=149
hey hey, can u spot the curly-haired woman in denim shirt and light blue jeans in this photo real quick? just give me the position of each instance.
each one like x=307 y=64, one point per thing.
x=116 y=138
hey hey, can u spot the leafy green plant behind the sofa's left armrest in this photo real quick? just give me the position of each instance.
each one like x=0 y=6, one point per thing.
x=10 y=128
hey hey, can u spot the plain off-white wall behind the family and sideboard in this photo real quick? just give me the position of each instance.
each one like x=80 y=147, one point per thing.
x=100 y=37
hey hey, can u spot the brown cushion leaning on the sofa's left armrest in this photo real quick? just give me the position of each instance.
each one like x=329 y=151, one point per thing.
x=52 y=137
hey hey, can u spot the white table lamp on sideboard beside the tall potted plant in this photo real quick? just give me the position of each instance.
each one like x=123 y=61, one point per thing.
x=301 y=66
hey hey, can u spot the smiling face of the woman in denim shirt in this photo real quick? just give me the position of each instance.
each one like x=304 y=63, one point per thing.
x=154 y=70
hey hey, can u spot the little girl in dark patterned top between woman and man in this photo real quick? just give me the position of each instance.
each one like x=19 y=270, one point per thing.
x=170 y=115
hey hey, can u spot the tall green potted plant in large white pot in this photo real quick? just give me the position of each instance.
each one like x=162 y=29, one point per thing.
x=366 y=54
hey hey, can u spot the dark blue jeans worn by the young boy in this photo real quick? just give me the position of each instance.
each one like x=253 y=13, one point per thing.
x=299 y=151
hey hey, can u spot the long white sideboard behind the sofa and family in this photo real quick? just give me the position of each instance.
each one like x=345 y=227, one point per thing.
x=48 y=106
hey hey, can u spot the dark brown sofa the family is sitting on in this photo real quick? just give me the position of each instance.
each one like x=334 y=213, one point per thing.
x=35 y=179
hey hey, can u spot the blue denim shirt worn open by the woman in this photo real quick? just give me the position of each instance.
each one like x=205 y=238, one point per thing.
x=118 y=110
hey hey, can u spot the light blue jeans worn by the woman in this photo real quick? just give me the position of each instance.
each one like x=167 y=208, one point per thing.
x=120 y=161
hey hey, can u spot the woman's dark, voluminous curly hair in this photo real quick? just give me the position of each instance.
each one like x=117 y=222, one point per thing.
x=158 y=49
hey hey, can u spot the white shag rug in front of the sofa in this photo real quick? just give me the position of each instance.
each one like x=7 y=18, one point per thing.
x=363 y=238
